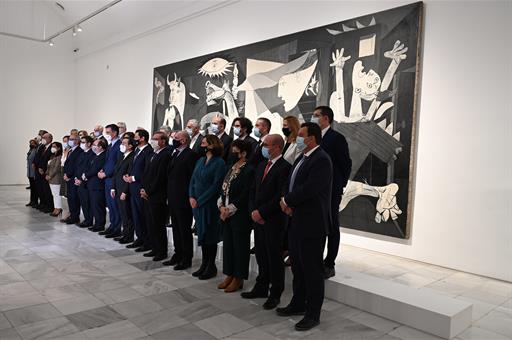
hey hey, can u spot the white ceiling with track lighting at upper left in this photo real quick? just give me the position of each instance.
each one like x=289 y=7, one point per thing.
x=124 y=20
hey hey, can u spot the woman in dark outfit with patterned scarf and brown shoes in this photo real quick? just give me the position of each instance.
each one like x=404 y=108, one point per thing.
x=235 y=218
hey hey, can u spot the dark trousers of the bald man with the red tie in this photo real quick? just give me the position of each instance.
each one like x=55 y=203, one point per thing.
x=268 y=241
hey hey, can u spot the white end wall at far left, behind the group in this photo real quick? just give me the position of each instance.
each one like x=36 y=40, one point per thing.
x=36 y=92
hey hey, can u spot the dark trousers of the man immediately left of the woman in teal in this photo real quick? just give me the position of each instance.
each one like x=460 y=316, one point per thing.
x=181 y=219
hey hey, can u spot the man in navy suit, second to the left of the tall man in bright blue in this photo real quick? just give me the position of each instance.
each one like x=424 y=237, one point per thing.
x=81 y=168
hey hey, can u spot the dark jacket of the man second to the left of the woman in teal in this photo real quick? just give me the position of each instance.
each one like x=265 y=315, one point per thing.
x=154 y=180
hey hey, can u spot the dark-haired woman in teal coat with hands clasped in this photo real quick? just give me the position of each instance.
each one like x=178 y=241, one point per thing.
x=204 y=190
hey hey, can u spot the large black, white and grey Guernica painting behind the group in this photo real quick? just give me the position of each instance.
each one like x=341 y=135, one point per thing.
x=366 y=69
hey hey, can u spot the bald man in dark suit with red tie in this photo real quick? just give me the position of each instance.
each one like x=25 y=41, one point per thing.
x=269 y=221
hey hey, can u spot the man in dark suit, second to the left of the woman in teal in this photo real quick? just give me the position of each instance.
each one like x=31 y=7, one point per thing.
x=154 y=192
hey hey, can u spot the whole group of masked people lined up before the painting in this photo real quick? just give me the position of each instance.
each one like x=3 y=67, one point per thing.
x=285 y=190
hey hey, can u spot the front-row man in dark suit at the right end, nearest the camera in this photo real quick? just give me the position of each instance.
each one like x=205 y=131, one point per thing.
x=307 y=200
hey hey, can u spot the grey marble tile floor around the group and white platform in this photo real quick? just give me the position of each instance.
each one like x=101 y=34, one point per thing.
x=62 y=282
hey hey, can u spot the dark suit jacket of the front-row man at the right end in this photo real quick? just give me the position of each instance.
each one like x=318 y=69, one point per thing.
x=310 y=197
